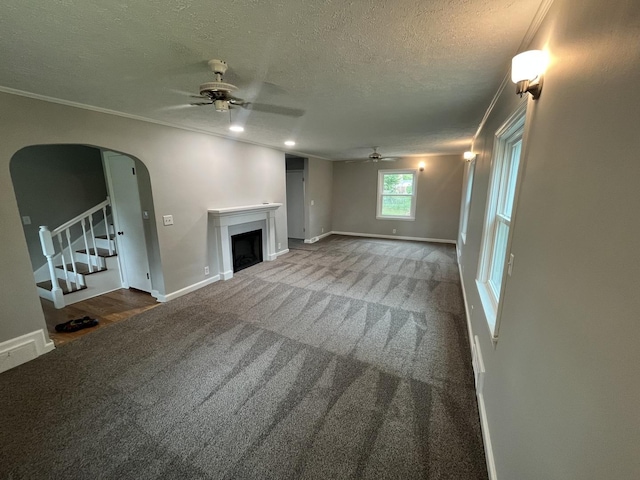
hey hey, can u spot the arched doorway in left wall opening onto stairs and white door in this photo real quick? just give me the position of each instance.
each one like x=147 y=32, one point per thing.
x=55 y=184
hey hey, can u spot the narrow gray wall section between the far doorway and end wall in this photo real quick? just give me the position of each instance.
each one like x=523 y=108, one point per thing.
x=319 y=189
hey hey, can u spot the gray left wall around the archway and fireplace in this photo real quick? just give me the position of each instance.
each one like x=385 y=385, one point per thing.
x=189 y=173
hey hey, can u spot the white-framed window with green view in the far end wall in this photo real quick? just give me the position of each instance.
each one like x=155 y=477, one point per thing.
x=397 y=192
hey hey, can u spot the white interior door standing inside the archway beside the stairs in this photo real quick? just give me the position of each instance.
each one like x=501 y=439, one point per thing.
x=127 y=216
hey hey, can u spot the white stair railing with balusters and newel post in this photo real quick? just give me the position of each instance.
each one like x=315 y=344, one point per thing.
x=63 y=233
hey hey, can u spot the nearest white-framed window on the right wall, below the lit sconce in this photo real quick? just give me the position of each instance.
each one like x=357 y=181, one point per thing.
x=497 y=216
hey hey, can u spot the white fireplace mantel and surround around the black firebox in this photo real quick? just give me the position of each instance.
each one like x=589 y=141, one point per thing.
x=223 y=218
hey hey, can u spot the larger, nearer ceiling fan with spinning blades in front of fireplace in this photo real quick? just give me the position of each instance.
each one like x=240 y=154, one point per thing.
x=221 y=95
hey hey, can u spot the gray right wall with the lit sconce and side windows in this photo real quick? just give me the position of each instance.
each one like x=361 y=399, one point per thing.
x=561 y=391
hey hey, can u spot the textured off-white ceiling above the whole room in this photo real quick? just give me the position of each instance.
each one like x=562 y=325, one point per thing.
x=412 y=76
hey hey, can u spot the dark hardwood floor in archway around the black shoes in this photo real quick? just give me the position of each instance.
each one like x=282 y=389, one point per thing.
x=109 y=308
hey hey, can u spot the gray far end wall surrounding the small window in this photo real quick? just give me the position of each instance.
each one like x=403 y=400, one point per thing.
x=438 y=203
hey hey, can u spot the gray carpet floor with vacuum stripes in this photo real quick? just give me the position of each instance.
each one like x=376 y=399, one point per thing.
x=343 y=359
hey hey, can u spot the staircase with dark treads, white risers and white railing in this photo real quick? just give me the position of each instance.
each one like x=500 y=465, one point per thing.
x=71 y=260
